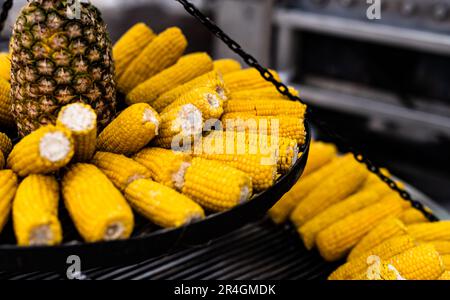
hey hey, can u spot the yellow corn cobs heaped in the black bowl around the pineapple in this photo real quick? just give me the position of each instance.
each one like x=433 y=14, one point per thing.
x=131 y=165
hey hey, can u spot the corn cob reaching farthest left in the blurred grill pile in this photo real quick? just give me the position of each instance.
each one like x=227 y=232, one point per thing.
x=286 y=205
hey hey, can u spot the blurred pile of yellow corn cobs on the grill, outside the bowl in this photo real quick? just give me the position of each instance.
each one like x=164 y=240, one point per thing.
x=344 y=211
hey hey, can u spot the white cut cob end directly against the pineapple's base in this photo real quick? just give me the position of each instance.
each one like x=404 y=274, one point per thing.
x=78 y=118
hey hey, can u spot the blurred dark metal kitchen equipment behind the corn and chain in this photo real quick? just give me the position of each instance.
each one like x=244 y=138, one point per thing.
x=384 y=84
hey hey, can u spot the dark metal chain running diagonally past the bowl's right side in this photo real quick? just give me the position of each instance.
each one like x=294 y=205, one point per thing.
x=283 y=89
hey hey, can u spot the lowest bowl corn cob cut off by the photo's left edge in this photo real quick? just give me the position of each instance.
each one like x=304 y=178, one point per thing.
x=8 y=186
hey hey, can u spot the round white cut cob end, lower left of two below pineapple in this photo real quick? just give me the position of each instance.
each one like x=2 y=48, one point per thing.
x=54 y=146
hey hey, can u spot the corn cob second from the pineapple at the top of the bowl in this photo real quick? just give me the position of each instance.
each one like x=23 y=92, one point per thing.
x=161 y=53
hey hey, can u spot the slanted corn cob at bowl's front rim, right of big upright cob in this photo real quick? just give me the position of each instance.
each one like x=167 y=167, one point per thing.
x=162 y=205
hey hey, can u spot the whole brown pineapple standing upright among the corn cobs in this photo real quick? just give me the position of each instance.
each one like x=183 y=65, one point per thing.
x=57 y=59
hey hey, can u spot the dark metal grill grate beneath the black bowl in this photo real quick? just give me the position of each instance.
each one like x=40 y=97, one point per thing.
x=257 y=251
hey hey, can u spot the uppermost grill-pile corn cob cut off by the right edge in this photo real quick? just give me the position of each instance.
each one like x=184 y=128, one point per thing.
x=430 y=231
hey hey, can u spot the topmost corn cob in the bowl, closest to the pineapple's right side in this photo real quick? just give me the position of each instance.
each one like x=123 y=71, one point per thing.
x=130 y=45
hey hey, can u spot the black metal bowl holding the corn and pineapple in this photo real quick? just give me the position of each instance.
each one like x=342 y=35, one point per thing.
x=147 y=241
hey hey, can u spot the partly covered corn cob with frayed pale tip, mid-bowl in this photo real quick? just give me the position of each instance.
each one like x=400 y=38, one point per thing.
x=163 y=164
